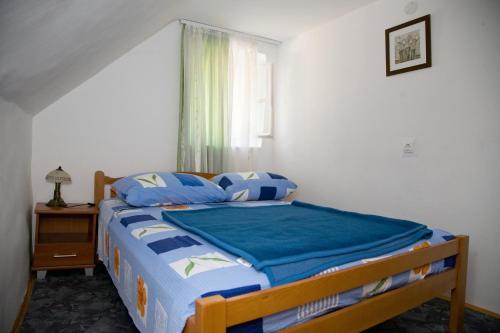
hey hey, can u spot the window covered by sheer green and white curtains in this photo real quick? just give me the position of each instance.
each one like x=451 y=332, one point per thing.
x=226 y=100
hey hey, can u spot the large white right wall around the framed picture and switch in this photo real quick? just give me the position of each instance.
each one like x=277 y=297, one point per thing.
x=340 y=122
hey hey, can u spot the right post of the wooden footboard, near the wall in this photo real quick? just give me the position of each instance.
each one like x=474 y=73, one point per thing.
x=457 y=304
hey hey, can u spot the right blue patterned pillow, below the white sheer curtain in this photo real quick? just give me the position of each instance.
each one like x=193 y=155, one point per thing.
x=245 y=186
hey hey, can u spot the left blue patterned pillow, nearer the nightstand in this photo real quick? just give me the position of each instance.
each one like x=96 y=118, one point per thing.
x=167 y=188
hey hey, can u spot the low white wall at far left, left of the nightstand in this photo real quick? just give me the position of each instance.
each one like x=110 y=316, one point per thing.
x=15 y=208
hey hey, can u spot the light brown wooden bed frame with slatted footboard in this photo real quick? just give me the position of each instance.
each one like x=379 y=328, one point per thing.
x=214 y=314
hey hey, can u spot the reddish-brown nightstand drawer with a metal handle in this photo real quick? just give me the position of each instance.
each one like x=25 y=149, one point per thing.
x=55 y=255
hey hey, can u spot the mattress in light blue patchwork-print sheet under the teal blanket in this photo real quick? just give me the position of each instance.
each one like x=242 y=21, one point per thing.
x=160 y=269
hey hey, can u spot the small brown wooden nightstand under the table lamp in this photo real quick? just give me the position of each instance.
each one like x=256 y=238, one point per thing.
x=64 y=238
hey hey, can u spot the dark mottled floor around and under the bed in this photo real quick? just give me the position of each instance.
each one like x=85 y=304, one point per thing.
x=70 y=302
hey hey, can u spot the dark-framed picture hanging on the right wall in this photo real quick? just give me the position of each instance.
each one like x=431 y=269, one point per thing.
x=408 y=46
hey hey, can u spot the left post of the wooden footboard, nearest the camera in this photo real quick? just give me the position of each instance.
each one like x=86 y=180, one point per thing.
x=210 y=315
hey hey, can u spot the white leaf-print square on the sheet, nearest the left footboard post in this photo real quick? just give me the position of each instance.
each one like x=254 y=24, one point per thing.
x=190 y=266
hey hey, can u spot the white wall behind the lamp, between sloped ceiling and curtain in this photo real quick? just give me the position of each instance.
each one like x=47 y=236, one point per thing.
x=122 y=120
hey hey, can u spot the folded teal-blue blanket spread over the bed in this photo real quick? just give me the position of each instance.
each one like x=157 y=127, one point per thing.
x=291 y=242
